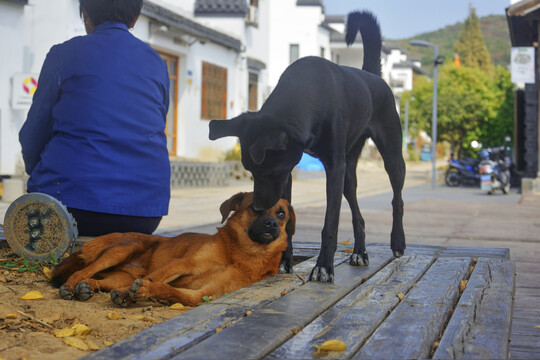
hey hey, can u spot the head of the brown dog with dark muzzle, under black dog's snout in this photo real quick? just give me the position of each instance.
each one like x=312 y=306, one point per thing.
x=263 y=227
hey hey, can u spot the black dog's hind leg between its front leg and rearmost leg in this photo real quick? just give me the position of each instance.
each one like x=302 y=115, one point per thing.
x=359 y=256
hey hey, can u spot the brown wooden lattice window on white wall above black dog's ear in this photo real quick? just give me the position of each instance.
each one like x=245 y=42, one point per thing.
x=214 y=92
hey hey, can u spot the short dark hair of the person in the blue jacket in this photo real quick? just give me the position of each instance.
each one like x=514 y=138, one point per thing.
x=100 y=11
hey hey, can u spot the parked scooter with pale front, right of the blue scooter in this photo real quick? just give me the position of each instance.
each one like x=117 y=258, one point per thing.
x=495 y=171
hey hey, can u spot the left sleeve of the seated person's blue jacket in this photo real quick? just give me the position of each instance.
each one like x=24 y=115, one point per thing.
x=37 y=129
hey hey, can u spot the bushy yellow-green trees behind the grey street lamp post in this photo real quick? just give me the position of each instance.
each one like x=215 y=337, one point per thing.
x=472 y=105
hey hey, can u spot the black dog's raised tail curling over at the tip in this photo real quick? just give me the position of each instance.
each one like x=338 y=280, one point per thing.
x=366 y=23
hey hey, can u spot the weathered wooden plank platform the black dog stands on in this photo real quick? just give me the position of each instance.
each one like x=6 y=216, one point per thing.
x=411 y=307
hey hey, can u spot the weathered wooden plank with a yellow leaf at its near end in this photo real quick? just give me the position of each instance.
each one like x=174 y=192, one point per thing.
x=355 y=317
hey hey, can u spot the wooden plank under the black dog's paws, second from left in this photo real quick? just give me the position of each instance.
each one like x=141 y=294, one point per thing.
x=257 y=335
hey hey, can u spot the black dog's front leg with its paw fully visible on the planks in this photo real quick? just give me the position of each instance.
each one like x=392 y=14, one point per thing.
x=324 y=270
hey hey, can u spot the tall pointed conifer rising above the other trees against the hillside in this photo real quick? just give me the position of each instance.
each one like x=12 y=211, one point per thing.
x=471 y=47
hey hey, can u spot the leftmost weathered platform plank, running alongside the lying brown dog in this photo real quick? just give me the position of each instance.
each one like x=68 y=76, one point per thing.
x=174 y=335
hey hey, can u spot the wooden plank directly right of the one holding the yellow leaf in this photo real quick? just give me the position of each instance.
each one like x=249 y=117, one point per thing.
x=411 y=329
